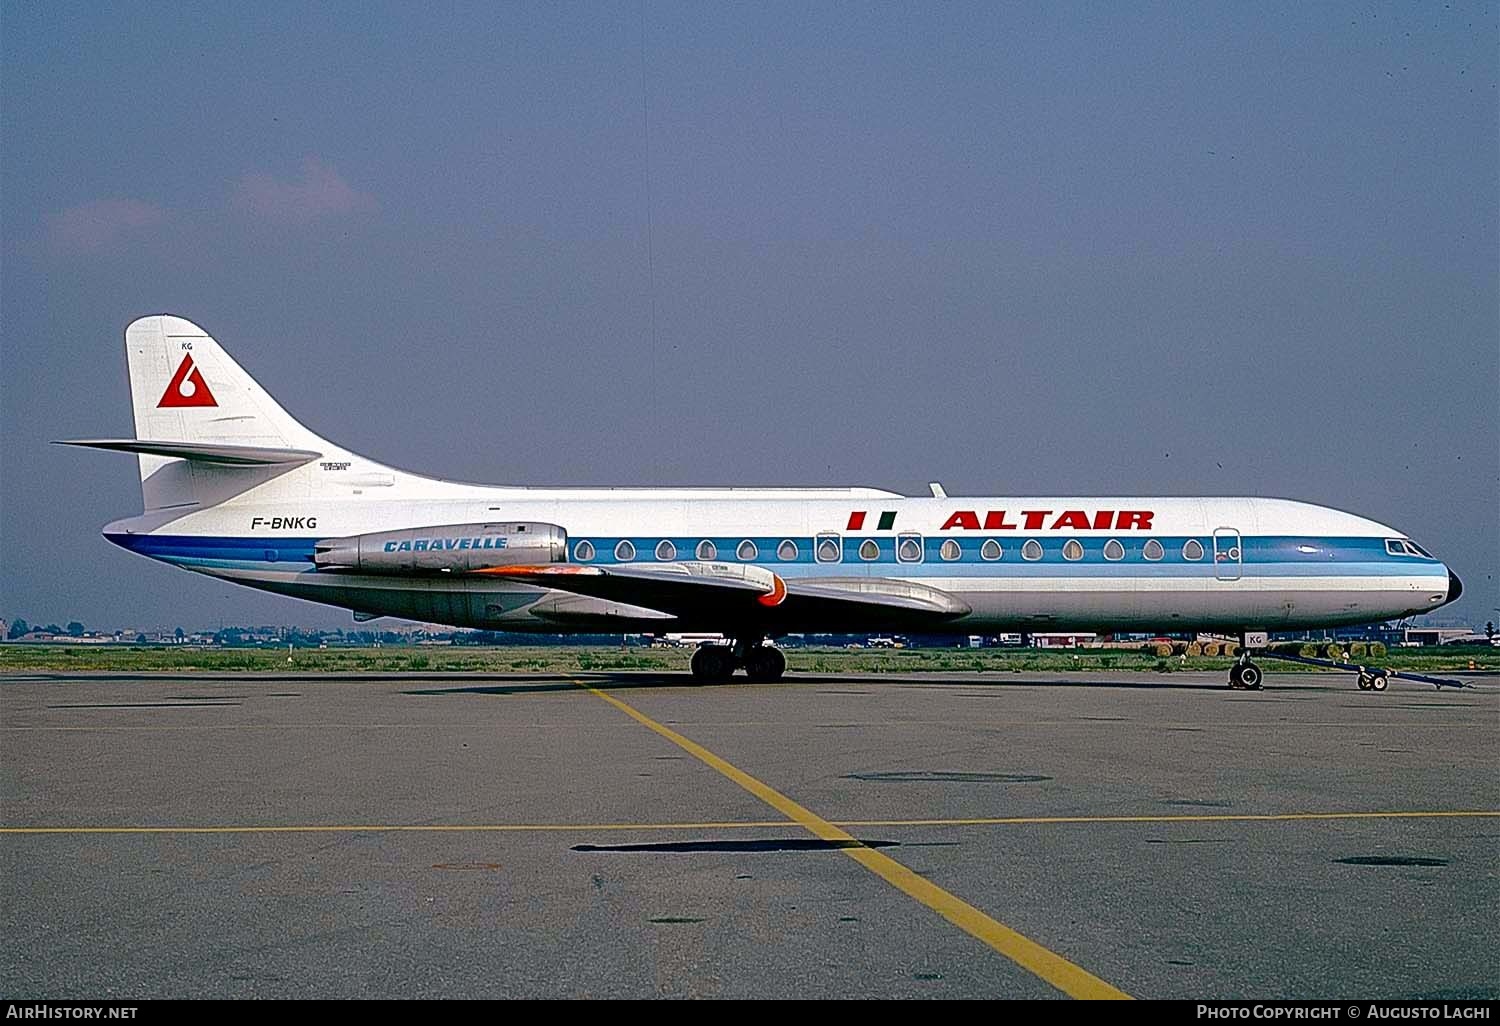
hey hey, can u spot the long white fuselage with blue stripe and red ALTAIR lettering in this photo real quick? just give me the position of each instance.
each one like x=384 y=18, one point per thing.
x=1019 y=563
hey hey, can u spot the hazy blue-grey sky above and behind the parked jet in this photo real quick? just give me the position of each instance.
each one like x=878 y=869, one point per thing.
x=1016 y=248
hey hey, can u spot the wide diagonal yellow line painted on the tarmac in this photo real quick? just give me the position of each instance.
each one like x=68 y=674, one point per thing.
x=1022 y=950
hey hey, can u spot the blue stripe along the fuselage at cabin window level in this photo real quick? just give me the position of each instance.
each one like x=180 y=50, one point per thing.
x=1277 y=556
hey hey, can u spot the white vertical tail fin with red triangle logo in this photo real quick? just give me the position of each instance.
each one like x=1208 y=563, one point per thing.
x=187 y=391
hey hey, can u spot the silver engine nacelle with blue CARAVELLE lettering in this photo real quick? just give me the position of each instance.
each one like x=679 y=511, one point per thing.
x=445 y=550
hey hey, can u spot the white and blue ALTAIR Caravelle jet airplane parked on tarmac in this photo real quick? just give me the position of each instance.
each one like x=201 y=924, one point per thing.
x=235 y=488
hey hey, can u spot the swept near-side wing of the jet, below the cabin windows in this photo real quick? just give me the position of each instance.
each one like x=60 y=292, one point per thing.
x=734 y=595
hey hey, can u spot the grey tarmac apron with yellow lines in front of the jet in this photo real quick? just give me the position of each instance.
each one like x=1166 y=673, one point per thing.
x=634 y=835
